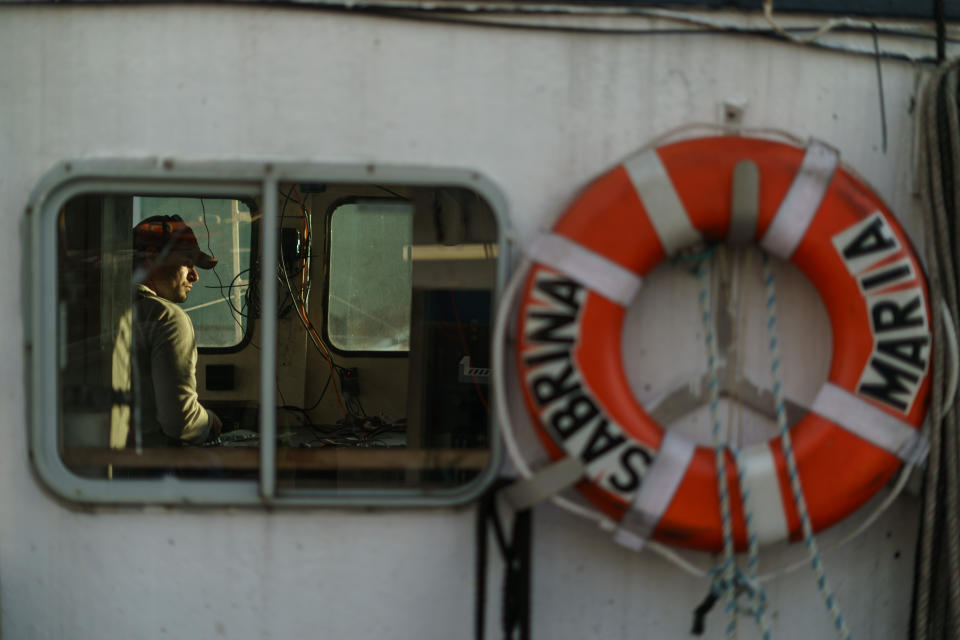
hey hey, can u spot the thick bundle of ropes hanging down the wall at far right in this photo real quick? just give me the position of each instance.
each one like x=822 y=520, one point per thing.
x=936 y=598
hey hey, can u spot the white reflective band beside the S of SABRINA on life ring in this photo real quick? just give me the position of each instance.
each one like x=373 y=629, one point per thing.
x=656 y=492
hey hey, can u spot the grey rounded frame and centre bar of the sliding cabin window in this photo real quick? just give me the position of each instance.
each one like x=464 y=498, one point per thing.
x=45 y=348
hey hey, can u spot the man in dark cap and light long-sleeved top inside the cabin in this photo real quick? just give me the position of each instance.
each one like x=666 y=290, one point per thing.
x=155 y=356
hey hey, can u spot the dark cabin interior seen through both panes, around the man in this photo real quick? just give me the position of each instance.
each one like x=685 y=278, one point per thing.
x=383 y=330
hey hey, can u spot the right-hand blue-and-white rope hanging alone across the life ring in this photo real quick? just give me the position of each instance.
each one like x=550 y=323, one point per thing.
x=815 y=563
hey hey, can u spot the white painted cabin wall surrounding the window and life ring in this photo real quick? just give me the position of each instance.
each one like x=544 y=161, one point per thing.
x=538 y=113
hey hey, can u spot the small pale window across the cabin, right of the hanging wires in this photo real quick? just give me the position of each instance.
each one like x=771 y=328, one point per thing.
x=370 y=268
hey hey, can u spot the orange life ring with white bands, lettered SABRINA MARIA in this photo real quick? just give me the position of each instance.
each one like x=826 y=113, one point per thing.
x=810 y=211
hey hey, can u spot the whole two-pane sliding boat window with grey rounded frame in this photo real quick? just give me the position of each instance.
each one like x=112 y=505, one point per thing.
x=237 y=341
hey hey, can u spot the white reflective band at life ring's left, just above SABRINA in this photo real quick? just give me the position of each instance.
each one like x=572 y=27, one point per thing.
x=592 y=270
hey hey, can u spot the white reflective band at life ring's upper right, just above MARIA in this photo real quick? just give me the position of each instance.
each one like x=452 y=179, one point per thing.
x=802 y=201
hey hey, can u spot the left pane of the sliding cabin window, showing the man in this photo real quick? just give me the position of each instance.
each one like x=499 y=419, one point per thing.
x=135 y=302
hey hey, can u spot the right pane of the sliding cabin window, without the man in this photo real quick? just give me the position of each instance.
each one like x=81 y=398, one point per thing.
x=396 y=395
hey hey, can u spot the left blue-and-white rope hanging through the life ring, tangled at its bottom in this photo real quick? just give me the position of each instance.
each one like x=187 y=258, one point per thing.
x=729 y=579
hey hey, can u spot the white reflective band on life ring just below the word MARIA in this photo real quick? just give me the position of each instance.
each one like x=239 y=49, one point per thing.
x=870 y=423
